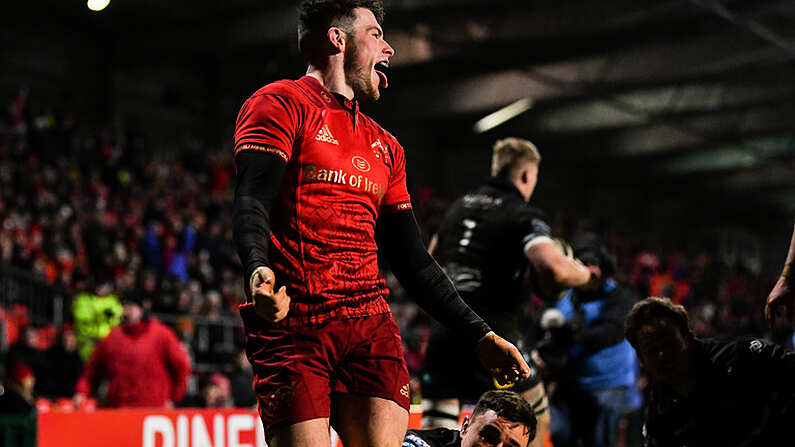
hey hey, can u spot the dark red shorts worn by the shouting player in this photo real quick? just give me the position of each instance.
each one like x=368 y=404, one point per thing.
x=296 y=369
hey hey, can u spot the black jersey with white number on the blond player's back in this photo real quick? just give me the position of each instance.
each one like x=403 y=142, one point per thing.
x=481 y=245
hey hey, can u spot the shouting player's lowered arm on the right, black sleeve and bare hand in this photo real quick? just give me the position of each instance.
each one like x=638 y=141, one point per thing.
x=423 y=278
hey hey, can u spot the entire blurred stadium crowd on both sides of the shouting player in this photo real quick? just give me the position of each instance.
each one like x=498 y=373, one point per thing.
x=97 y=211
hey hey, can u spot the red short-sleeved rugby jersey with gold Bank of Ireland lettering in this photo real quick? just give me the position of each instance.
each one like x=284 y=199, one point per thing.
x=342 y=171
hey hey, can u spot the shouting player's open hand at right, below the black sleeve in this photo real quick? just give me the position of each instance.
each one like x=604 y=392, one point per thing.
x=502 y=359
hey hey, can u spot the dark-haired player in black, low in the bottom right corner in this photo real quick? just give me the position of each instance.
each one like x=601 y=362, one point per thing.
x=711 y=392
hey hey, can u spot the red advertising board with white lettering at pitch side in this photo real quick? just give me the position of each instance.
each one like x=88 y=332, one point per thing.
x=152 y=428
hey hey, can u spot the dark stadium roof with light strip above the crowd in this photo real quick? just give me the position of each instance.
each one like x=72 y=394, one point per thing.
x=695 y=95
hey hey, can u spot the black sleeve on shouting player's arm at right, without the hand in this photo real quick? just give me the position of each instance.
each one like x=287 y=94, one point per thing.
x=423 y=279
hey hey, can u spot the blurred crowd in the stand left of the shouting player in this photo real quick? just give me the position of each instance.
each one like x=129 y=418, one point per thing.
x=87 y=212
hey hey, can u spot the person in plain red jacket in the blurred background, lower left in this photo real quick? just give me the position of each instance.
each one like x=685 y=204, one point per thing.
x=142 y=360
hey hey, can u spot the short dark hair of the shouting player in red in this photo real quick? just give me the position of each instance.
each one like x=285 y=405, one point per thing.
x=316 y=16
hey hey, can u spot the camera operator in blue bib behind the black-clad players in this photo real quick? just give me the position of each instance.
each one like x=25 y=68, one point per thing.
x=585 y=353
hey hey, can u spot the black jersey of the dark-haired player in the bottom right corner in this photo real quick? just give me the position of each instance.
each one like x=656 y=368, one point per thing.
x=745 y=397
